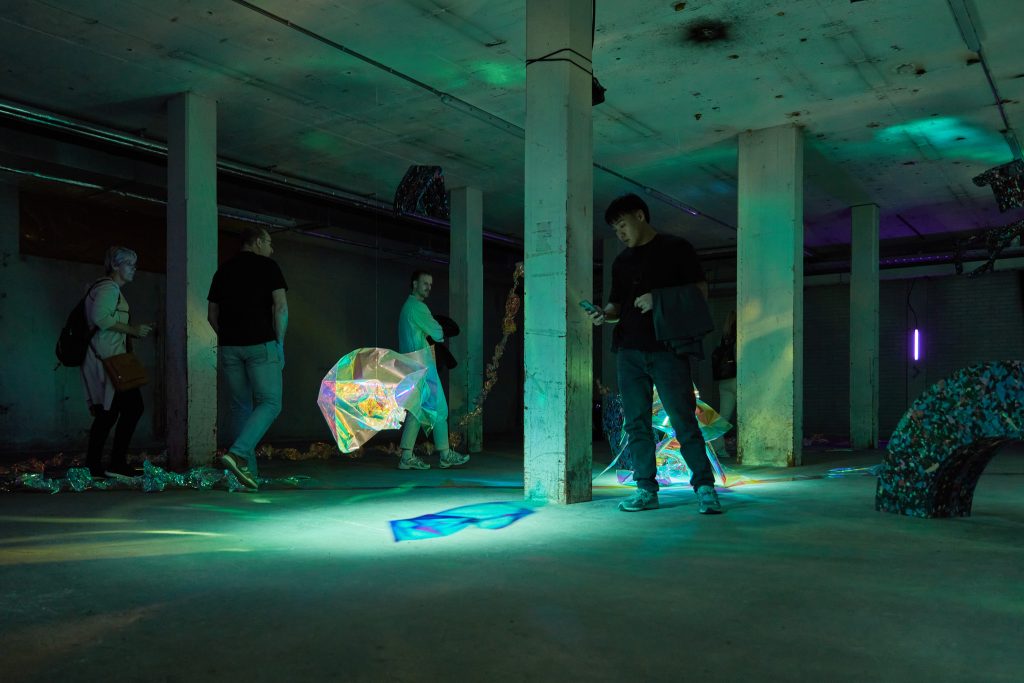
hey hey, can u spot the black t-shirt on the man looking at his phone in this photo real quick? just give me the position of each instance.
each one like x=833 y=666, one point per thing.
x=665 y=262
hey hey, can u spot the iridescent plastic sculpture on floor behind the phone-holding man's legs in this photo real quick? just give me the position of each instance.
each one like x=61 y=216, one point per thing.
x=671 y=466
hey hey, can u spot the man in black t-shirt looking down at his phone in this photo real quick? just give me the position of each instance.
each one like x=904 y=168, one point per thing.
x=654 y=264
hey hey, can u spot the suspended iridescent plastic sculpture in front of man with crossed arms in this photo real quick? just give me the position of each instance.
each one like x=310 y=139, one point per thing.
x=372 y=389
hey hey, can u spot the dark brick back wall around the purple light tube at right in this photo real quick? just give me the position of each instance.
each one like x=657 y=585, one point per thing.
x=963 y=322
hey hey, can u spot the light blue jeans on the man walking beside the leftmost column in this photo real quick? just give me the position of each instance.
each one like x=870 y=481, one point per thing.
x=252 y=377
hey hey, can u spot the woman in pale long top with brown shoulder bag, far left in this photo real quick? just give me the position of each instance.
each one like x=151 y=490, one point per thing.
x=108 y=314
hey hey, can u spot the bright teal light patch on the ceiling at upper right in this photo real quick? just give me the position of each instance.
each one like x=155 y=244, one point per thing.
x=948 y=138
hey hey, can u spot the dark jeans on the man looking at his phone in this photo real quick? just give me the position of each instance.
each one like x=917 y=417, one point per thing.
x=639 y=372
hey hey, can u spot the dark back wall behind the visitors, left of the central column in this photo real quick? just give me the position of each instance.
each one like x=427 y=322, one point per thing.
x=339 y=301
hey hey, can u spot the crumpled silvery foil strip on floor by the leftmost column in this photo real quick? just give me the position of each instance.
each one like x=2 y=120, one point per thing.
x=152 y=480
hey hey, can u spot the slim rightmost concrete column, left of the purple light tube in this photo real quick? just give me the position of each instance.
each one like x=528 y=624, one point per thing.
x=865 y=328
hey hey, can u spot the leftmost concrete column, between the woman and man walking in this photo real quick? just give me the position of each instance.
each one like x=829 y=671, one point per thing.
x=192 y=261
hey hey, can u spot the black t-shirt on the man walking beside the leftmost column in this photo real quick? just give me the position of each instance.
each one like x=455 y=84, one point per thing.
x=242 y=288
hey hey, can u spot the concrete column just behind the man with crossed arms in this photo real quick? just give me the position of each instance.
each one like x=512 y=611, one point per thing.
x=466 y=306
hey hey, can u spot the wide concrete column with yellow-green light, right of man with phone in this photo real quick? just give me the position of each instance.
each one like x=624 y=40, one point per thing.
x=771 y=296
